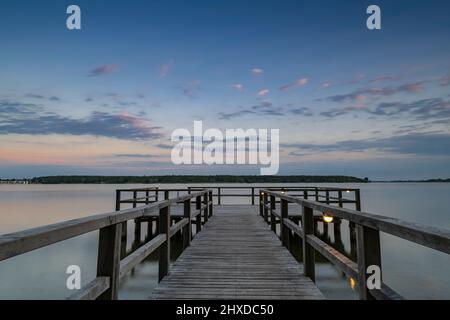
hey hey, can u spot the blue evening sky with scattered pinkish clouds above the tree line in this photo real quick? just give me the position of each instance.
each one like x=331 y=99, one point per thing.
x=105 y=99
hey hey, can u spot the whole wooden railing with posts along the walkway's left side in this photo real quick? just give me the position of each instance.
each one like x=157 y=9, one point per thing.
x=111 y=265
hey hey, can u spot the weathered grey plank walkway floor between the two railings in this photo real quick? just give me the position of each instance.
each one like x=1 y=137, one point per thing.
x=236 y=256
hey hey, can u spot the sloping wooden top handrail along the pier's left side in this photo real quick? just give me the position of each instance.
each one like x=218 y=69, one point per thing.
x=17 y=243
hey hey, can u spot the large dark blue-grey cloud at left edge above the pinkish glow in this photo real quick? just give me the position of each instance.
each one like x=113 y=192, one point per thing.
x=19 y=118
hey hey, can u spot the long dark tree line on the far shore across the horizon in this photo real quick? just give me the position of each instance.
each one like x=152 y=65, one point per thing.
x=193 y=179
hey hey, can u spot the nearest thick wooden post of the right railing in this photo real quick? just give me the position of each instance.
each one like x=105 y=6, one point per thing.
x=368 y=254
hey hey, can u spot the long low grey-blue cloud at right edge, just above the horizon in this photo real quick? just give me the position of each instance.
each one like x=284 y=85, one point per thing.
x=418 y=144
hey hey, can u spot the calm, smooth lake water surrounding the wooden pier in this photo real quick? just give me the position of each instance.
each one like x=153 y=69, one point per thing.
x=412 y=270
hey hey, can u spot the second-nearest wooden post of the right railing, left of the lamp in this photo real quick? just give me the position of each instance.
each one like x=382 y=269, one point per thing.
x=308 y=250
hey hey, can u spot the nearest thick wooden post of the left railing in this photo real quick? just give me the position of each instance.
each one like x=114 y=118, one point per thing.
x=108 y=261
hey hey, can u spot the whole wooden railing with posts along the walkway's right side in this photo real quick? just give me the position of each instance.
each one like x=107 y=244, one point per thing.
x=368 y=228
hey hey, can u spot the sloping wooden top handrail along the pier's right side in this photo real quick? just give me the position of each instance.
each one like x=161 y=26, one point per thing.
x=432 y=237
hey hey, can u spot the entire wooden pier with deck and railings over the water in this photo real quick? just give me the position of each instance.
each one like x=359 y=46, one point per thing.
x=232 y=251
